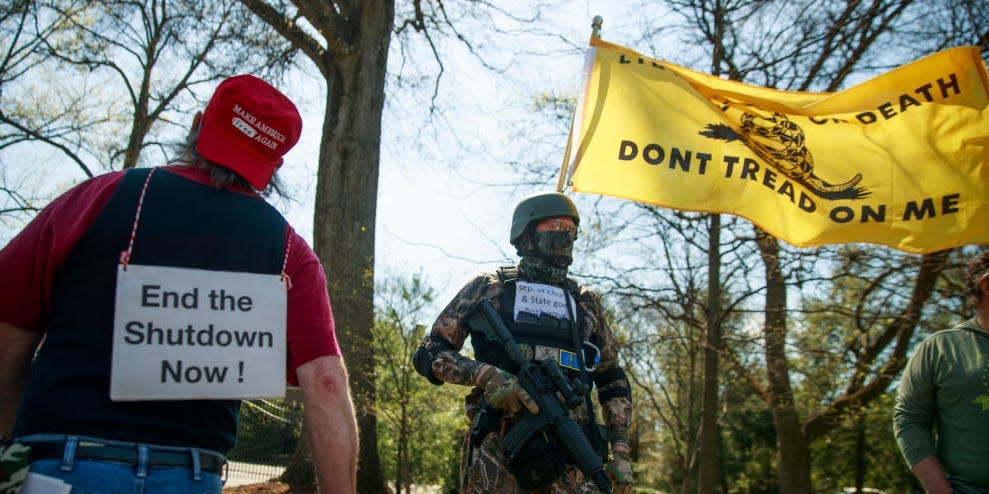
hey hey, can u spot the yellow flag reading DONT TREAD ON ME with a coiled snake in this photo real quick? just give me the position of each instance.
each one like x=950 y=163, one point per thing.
x=900 y=160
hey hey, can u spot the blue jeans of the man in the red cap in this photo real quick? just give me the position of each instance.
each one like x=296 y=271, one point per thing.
x=103 y=477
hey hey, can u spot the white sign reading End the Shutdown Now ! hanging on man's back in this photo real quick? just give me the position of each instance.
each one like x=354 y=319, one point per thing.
x=181 y=334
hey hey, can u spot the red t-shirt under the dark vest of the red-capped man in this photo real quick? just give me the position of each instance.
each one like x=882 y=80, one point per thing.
x=29 y=263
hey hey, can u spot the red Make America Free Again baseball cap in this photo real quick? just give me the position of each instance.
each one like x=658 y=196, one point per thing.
x=247 y=127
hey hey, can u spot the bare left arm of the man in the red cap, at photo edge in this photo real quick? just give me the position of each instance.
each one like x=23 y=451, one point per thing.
x=16 y=350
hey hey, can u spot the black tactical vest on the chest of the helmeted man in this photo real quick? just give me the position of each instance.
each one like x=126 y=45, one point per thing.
x=539 y=336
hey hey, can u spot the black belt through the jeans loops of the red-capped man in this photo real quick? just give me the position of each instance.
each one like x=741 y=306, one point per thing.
x=208 y=462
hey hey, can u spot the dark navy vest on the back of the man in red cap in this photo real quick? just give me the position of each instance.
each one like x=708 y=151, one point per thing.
x=182 y=224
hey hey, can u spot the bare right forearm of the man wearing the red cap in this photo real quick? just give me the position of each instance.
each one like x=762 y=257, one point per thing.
x=330 y=423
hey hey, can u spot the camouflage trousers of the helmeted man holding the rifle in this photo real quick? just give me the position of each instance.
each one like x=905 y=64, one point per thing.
x=483 y=471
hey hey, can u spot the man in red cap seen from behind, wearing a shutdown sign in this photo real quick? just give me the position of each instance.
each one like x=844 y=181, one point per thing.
x=125 y=300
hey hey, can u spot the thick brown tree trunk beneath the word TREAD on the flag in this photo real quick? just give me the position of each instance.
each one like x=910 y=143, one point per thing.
x=792 y=452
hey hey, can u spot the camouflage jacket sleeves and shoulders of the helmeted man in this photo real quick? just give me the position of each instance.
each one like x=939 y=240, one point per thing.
x=451 y=366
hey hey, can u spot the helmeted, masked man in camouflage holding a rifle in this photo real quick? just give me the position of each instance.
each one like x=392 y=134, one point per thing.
x=551 y=317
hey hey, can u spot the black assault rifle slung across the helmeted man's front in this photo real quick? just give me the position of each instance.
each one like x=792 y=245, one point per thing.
x=543 y=382
